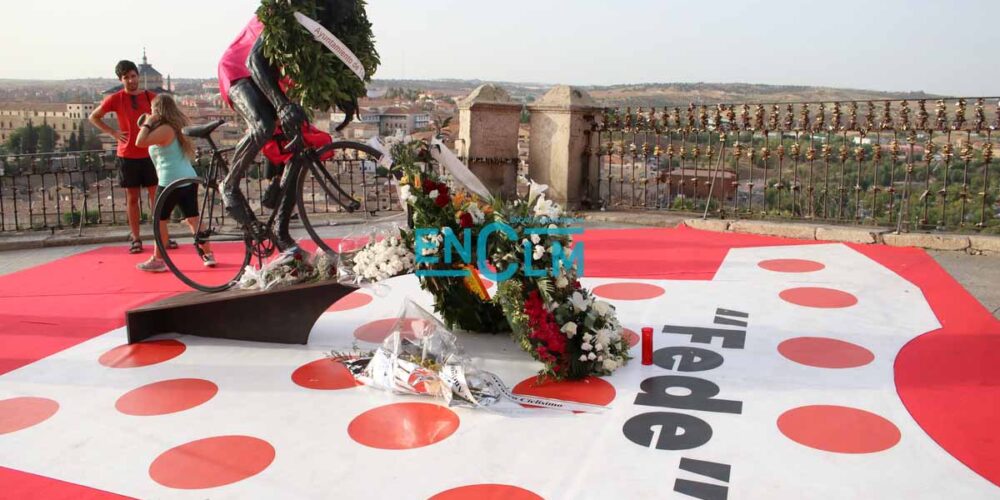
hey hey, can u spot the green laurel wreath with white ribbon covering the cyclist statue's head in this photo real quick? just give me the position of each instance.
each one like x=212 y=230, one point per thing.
x=321 y=80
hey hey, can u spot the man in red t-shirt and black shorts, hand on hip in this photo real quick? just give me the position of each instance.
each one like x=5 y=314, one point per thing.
x=135 y=169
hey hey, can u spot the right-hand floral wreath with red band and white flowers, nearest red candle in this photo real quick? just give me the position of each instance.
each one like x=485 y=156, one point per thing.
x=552 y=316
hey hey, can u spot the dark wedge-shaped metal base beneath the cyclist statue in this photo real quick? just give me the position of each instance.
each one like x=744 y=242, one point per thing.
x=283 y=316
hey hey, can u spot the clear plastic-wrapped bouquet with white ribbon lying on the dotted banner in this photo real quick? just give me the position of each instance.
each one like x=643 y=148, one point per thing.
x=423 y=358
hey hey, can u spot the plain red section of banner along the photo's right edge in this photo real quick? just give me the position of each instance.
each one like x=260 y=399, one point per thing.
x=949 y=378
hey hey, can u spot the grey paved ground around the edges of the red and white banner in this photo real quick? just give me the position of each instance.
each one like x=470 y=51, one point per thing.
x=979 y=274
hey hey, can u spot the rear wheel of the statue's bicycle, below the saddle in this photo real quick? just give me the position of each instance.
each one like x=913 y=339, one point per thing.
x=227 y=243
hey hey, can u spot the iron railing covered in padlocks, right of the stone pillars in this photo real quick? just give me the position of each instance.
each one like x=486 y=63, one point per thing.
x=924 y=164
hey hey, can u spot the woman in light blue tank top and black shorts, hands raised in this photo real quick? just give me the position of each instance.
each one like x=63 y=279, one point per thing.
x=171 y=152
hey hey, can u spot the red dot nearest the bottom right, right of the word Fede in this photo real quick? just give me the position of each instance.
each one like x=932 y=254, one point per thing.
x=838 y=429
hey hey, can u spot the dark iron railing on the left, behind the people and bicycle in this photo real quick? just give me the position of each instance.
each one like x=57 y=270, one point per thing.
x=79 y=189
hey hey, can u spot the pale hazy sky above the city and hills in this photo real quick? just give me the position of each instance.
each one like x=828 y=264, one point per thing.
x=942 y=46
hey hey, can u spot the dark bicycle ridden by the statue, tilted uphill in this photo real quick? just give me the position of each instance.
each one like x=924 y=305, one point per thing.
x=235 y=246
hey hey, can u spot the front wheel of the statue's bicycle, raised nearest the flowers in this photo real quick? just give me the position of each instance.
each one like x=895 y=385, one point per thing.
x=336 y=184
